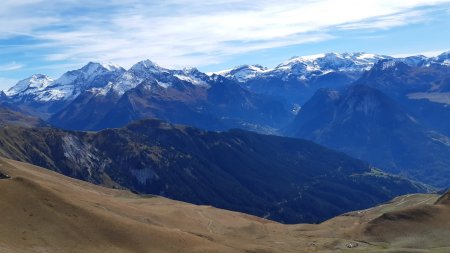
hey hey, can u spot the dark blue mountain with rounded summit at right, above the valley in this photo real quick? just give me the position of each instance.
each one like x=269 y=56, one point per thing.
x=366 y=123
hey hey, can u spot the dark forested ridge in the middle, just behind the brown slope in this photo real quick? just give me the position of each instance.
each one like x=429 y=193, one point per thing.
x=282 y=179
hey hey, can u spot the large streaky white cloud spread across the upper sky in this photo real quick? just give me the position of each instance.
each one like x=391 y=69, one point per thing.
x=182 y=32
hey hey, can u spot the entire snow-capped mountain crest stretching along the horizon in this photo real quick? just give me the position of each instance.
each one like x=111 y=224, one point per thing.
x=104 y=78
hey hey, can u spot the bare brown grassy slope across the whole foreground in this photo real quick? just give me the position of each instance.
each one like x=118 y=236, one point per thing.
x=43 y=211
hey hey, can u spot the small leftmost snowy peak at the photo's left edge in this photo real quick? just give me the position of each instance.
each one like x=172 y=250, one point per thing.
x=31 y=84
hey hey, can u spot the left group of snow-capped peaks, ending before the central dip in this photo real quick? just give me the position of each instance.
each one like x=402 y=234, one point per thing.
x=101 y=79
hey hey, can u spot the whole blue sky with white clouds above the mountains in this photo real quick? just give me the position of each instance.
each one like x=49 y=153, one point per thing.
x=51 y=37
